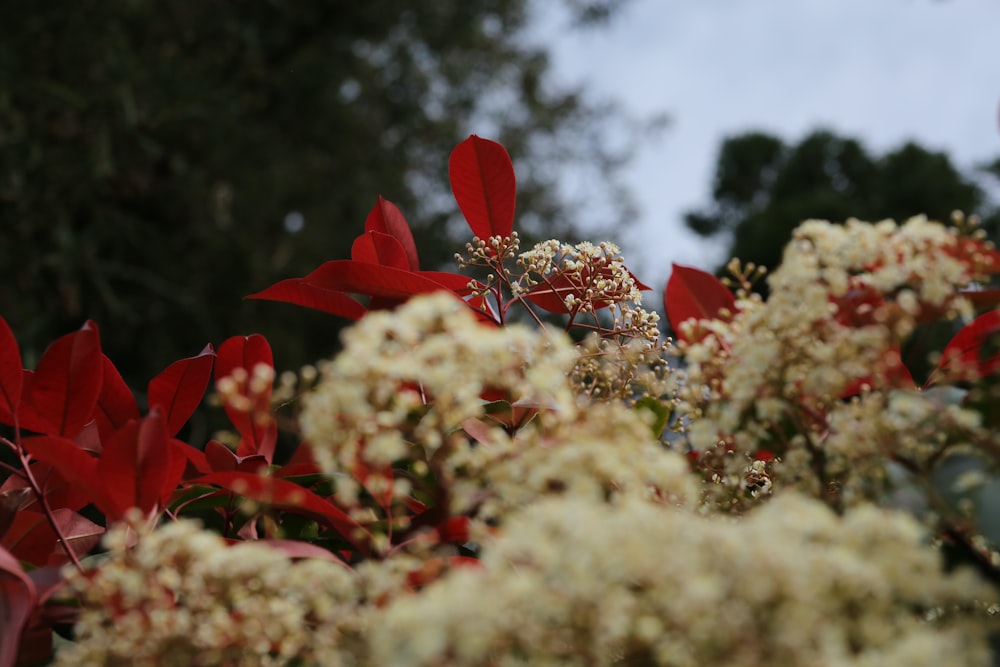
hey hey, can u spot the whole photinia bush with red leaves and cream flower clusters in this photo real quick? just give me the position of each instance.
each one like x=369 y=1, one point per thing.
x=502 y=467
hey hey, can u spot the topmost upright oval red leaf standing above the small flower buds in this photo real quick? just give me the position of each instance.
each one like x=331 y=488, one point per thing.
x=482 y=179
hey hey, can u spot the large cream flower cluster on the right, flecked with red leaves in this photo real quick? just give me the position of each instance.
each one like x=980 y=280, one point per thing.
x=776 y=377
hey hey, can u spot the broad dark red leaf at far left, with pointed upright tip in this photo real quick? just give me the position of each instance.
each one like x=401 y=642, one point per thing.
x=65 y=386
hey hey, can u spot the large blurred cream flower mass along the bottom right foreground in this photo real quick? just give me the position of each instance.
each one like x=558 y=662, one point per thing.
x=573 y=582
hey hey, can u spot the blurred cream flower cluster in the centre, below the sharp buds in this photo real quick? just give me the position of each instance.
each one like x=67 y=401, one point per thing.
x=408 y=390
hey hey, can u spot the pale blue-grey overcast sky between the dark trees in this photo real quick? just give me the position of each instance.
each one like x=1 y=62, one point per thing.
x=884 y=71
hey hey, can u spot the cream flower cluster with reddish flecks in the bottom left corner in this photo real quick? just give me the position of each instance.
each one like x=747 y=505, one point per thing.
x=184 y=597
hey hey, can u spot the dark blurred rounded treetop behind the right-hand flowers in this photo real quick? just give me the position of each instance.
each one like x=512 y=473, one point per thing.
x=764 y=188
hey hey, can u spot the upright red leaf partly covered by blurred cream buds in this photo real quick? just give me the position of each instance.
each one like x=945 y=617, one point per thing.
x=256 y=427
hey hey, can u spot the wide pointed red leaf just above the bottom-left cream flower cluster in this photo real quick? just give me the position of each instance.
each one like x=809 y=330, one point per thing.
x=135 y=466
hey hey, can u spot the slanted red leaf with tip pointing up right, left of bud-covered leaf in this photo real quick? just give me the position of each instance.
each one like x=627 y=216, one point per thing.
x=177 y=391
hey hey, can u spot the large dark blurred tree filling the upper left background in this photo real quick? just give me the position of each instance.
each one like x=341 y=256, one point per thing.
x=160 y=160
